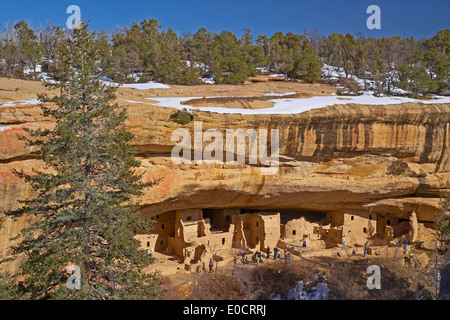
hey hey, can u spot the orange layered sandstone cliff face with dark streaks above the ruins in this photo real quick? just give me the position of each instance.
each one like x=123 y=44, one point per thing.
x=387 y=160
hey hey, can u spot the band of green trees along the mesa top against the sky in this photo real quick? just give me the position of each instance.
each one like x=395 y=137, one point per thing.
x=144 y=52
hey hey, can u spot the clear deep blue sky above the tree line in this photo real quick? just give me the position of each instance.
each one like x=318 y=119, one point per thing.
x=398 y=17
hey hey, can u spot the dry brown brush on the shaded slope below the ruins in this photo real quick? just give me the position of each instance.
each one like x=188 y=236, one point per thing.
x=346 y=279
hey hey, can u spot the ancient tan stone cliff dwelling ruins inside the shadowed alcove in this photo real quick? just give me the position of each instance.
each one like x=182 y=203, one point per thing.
x=194 y=236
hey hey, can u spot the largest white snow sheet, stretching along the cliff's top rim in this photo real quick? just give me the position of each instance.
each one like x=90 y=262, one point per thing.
x=299 y=105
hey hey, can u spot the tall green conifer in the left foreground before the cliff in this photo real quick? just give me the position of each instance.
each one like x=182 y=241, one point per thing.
x=85 y=210
